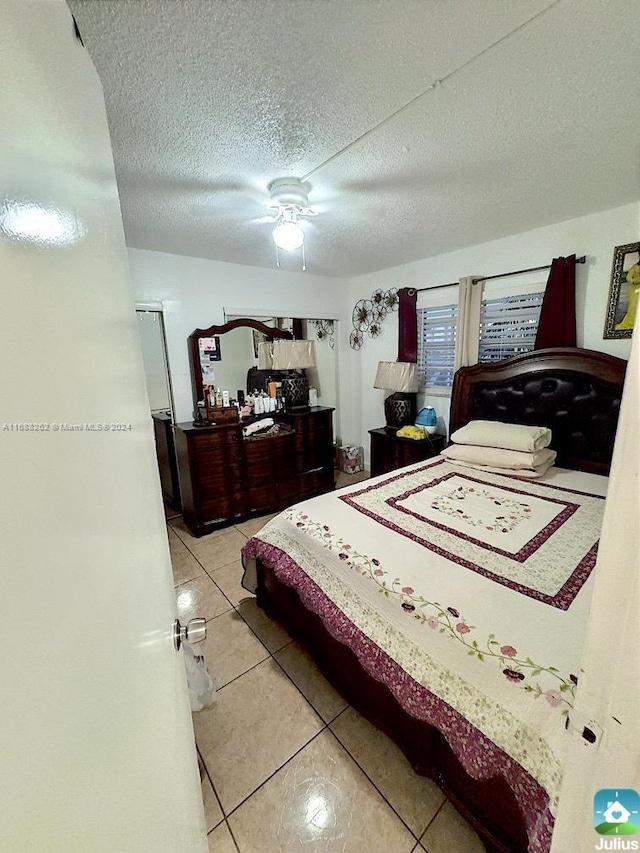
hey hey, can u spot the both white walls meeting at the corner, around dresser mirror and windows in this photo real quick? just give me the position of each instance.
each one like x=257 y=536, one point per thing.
x=194 y=293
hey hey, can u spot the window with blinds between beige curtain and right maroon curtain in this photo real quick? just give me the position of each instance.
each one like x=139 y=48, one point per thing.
x=508 y=325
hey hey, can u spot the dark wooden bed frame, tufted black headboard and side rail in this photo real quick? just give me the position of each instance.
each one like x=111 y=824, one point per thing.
x=577 y=394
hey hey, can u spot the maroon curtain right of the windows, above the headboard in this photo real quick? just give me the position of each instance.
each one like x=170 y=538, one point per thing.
x=557 y=325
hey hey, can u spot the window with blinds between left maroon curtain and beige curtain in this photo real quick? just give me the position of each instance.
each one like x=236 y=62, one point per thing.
x=437 y=344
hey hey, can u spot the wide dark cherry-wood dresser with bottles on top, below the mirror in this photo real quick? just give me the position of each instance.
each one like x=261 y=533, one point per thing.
x=225 y=478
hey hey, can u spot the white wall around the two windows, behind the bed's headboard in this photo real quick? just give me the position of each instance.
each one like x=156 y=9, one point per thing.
x=594 y=236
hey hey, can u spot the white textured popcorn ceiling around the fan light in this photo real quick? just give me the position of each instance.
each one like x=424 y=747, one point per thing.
x=536 y=120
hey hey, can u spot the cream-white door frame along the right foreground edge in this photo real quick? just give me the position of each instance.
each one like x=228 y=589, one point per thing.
x=608 y=696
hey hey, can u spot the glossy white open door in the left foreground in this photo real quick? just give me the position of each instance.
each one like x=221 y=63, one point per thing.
x=96 y=745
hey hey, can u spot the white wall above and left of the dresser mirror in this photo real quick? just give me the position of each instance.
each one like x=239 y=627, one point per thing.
x=194 y=293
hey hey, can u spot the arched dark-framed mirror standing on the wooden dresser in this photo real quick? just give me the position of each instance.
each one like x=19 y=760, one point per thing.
x=224 y=355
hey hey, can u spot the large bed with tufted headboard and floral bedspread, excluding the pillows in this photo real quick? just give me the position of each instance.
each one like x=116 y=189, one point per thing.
x=449 y=605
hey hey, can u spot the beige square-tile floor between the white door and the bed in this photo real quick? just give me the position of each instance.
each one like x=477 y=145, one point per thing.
x=286 y=765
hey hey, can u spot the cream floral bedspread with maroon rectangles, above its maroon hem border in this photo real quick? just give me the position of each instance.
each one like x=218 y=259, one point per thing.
x=476 y=584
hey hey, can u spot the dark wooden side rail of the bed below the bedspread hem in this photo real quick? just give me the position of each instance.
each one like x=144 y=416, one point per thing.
x=489 y=805
